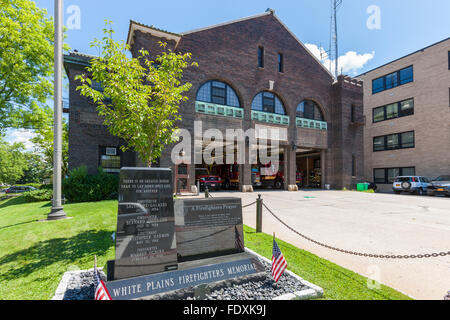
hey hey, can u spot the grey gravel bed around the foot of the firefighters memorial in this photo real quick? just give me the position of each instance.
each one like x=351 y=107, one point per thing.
x=81 y=287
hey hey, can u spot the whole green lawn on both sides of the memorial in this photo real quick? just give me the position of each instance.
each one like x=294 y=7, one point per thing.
x=34 y=255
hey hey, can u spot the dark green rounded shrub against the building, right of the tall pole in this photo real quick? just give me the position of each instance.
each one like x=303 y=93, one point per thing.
x=80 y=186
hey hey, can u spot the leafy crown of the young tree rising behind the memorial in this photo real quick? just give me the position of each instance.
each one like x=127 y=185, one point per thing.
x=140 y=96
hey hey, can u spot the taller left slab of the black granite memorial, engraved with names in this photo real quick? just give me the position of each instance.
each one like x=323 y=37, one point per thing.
x=145 y=237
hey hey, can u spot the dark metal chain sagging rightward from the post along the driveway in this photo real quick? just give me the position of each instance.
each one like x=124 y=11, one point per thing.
x=378 y=256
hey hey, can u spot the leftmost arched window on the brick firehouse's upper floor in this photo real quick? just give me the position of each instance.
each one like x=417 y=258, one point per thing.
x=219 y=93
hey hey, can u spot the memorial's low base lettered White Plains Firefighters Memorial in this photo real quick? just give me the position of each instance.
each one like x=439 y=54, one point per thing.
x=190 y=277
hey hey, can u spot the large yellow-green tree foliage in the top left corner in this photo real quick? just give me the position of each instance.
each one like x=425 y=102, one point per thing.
x=26 y=63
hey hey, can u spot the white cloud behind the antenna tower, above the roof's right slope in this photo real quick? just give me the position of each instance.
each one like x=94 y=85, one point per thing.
x=351 y=62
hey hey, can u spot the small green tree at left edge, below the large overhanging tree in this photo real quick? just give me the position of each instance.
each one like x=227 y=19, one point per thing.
x=13 y=162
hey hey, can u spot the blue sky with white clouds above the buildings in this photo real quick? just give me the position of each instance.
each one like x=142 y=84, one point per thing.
x=370 y=32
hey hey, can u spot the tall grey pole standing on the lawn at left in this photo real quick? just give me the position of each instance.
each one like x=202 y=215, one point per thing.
x=57 y=212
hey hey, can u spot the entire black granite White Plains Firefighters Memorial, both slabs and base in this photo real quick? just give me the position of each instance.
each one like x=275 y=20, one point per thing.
x=164 y=246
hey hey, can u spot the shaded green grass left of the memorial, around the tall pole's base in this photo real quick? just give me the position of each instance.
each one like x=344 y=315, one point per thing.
x=34 y=255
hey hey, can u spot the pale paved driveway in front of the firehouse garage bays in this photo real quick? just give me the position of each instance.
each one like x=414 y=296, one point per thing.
x=364 y=222
